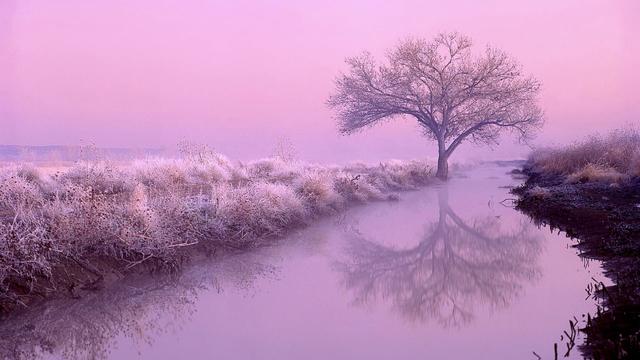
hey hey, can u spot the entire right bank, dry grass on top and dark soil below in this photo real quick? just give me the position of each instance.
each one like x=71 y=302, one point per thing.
x=591 y=191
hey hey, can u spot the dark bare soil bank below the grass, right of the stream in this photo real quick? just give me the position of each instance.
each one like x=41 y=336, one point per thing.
x=605 y=221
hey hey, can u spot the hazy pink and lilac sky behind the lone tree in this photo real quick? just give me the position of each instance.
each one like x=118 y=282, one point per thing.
x=240 y=75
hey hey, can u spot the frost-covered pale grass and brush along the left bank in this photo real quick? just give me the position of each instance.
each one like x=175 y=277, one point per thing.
x=149 y=209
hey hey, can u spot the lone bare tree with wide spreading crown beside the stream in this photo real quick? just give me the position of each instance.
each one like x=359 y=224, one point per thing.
x=453 y=93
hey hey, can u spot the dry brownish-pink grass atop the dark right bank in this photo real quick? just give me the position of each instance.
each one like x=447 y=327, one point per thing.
x=612 y=158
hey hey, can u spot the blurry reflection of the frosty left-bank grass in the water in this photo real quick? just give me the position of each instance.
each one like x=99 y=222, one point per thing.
x=139 y=309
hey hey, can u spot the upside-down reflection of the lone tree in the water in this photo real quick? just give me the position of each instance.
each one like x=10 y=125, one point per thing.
x=456 y=266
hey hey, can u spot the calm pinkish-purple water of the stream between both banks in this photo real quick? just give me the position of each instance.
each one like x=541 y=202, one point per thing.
x=450 y=271
